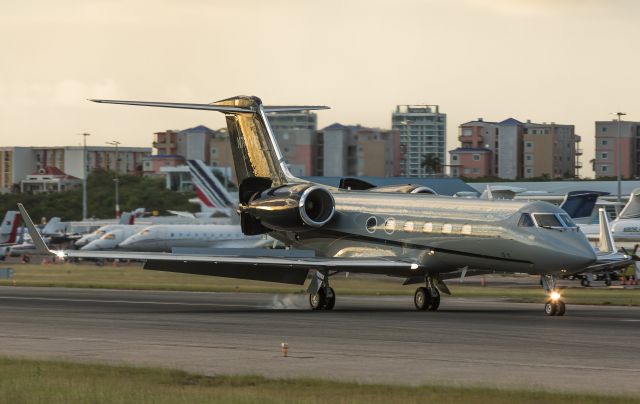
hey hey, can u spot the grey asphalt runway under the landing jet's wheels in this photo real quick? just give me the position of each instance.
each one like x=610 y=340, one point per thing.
x=368 y=339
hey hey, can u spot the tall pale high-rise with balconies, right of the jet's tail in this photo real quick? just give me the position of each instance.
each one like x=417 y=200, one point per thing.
x=423 y=131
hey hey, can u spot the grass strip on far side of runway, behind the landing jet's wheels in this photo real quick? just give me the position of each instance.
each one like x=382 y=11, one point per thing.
x=134 y=277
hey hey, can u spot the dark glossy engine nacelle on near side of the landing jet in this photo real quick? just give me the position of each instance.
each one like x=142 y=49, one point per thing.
x=297 y=207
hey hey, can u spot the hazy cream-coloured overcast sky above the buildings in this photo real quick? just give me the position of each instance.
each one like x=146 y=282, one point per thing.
x=567 y=61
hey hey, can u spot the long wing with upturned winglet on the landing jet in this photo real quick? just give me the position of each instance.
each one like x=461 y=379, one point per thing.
x=292 y=270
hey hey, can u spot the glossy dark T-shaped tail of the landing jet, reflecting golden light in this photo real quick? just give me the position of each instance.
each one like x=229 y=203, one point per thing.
x=255 y=151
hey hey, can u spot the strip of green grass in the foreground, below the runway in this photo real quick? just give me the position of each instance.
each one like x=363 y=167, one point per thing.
x=52 y=382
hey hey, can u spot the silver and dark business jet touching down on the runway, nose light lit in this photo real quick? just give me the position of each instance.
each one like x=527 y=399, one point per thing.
x=420 y=237
